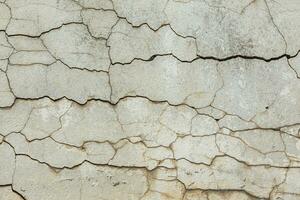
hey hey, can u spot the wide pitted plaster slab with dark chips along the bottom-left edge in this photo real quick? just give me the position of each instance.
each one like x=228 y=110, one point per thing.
x=86 y=182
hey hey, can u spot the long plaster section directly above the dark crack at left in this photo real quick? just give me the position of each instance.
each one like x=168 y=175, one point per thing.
x=57 y=81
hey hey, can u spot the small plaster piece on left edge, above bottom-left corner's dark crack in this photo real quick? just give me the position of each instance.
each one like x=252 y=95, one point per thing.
x=7 y=164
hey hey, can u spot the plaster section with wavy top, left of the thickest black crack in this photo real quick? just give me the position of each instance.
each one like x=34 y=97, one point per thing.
x=128 y=43
